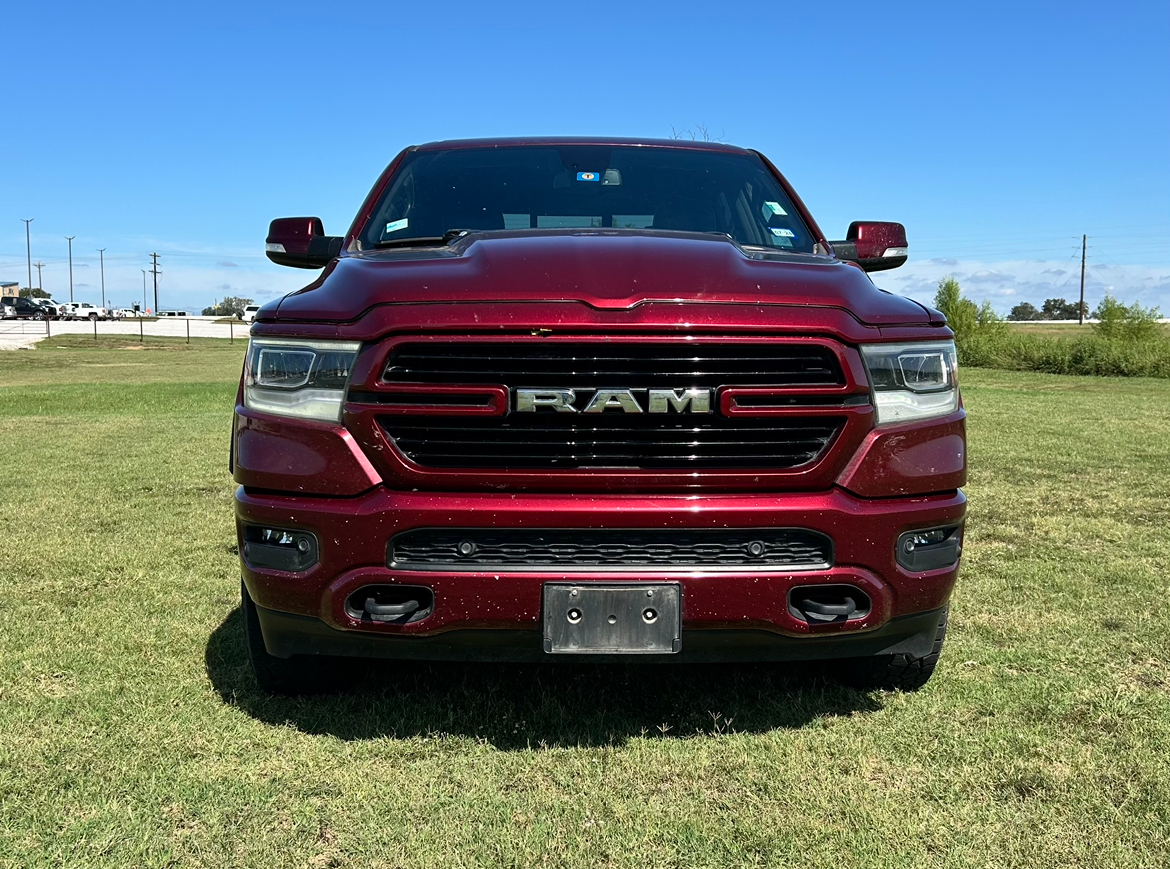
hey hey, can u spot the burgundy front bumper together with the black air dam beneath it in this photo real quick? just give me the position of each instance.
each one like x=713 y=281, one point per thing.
x=731 y=615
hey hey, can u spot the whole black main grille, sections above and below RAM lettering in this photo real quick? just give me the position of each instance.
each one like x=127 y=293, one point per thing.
x=563 y=442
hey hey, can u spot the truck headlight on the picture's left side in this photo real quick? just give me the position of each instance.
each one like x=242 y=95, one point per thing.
x=306 y=380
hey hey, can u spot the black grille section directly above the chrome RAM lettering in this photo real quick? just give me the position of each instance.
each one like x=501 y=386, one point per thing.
x=604 y=364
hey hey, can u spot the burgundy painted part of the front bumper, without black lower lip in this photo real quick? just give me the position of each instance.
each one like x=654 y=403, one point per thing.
x=354 y=534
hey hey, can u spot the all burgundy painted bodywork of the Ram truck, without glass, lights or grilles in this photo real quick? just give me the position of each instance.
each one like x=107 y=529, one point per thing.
x=352 y=487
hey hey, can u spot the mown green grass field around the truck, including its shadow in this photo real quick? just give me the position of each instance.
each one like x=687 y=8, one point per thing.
x=132 y=734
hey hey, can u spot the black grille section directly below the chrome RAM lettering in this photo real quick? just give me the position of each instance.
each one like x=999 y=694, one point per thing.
x=611 y=440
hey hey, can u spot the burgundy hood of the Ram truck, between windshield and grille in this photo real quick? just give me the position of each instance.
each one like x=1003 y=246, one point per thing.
x=608 y=271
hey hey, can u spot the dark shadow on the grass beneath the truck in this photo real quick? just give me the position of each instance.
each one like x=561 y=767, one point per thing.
x=519 y=707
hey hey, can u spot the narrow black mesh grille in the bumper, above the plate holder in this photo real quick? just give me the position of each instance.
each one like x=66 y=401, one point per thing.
x=581 y=550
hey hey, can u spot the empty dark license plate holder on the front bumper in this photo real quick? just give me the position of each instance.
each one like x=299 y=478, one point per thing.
x=612 y=619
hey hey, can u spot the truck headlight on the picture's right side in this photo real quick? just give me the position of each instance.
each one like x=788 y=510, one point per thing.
x=912 y=382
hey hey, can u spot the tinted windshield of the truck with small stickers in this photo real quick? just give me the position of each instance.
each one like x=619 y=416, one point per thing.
x=587 y=187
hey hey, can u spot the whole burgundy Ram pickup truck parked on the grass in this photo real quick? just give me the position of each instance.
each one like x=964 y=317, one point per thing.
x=591 y=399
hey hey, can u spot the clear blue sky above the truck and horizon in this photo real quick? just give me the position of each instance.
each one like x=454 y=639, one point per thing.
x=997 y=133
